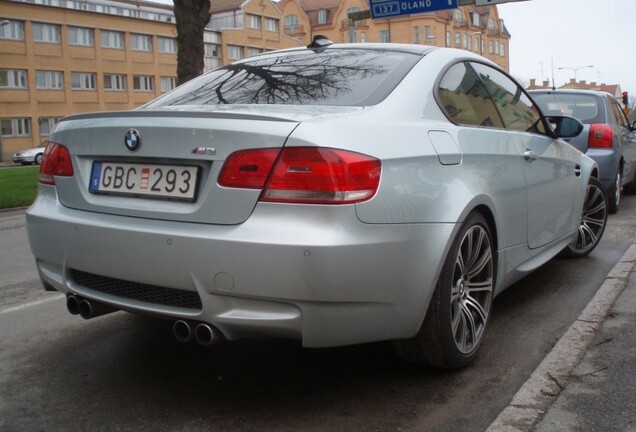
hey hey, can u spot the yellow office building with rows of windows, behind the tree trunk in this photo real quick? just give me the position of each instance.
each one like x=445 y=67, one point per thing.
x=60 y=57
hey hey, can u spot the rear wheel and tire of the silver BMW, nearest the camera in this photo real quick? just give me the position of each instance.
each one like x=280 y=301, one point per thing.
x=459 y=311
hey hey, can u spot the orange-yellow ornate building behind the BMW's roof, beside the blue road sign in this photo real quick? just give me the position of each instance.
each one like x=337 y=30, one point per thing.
x=474 y=28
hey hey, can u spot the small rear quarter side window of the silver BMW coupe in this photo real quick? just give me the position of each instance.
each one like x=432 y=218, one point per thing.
x=464 y=98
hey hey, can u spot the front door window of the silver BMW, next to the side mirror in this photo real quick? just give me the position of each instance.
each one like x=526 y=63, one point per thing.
x=516 y=109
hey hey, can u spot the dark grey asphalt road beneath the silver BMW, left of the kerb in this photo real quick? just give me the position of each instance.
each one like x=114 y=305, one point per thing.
x=122 y=372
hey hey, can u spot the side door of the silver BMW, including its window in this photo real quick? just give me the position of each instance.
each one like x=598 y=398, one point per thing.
x=548 y=164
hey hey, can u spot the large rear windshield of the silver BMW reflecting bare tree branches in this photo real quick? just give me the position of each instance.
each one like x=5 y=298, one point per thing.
x=337 y=77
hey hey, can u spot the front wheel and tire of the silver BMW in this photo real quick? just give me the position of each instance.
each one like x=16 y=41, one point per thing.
x=593 y=222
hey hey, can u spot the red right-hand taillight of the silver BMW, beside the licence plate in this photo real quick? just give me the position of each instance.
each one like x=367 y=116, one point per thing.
x=304 y=175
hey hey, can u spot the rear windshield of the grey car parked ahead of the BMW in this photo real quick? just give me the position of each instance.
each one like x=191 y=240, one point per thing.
x=586 y=108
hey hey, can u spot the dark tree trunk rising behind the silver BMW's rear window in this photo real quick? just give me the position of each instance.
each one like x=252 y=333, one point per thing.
x=191 y=16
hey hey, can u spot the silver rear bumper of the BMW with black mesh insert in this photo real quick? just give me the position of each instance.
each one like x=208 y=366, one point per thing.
x=316 y=274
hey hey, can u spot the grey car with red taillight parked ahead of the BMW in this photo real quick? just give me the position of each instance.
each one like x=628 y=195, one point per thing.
x=607 y=136
